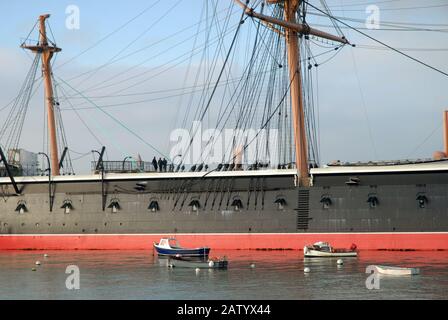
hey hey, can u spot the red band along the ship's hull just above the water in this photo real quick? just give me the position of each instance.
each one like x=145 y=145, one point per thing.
x=294 y=241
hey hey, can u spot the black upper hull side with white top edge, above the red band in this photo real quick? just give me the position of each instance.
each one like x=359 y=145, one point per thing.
x=234 y=202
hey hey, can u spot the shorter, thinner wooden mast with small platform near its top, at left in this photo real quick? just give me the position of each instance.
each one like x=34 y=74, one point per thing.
x=47 y=52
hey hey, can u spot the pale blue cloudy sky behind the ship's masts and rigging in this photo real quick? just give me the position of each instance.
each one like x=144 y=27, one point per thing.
x=373 y=104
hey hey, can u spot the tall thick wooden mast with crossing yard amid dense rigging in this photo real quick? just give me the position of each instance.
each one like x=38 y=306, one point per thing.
x=292 y=30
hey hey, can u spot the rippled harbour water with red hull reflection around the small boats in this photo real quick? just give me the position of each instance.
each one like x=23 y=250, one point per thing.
x=273 y=275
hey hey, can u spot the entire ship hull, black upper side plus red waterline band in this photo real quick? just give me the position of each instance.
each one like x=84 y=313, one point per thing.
x=230 y=210
